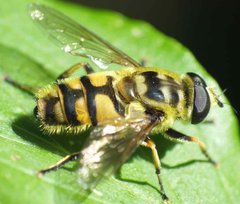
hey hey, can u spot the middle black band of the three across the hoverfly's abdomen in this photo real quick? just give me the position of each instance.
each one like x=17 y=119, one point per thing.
x=70 y=96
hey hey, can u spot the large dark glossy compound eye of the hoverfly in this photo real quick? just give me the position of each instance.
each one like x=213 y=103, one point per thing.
x=201 y=101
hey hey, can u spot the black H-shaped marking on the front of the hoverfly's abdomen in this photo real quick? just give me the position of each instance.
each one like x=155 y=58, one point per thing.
x=92 y=91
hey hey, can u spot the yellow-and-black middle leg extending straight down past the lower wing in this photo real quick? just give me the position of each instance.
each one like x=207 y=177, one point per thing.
x=150 y=144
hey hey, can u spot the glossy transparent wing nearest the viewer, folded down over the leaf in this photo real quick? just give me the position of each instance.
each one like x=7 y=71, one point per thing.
x=109 y=146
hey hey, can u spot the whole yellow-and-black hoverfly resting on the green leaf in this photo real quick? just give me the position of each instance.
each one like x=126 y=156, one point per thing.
x=122 y=107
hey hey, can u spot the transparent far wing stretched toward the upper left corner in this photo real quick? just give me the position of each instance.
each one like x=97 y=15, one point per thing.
x=74 y=38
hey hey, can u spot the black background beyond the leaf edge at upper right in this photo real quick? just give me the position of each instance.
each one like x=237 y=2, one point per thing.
x=210 y=29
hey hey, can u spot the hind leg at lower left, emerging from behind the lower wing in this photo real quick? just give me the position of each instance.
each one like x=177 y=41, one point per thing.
x=59 y=164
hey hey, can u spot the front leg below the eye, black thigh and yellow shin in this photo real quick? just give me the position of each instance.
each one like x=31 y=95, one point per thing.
x=175 y=135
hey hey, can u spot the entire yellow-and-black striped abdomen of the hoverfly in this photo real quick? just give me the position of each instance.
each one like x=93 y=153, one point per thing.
x=86 y=100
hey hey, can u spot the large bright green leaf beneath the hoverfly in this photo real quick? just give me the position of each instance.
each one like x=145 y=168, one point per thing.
x=30 y=58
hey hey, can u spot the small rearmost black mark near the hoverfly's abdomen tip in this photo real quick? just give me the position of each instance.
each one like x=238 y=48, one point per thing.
x=49 y=110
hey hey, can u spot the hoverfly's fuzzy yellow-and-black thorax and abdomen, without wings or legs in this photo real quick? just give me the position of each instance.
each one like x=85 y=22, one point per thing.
x=126 y=93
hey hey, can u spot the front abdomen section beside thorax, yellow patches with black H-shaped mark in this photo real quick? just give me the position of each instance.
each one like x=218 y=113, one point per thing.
x=100 y=98
